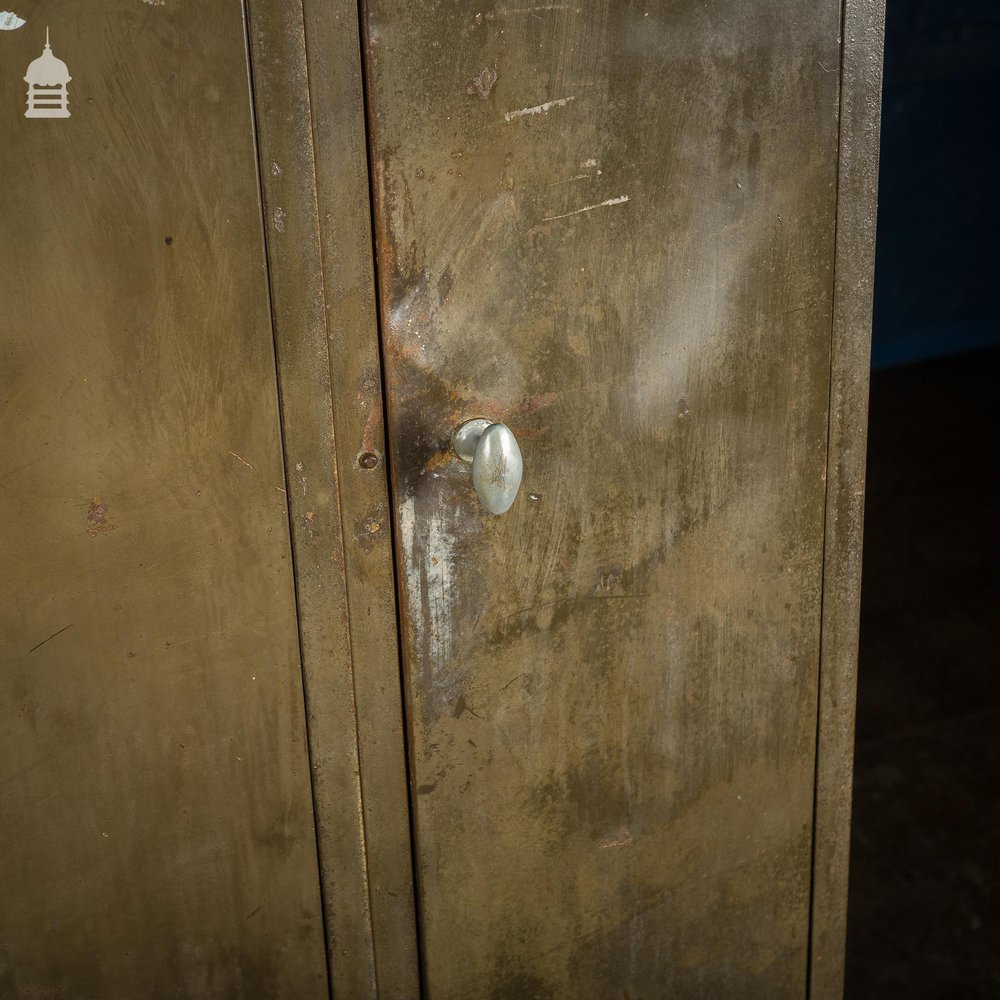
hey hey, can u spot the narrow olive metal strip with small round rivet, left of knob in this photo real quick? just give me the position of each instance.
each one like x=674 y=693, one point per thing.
x=333 y=41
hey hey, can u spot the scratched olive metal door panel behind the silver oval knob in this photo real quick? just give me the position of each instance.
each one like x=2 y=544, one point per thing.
x=611 y=227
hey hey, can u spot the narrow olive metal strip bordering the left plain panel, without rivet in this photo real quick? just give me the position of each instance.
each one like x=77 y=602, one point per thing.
x=324 y=621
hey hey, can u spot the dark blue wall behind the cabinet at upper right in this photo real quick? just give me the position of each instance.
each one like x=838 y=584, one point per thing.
x=937 y=273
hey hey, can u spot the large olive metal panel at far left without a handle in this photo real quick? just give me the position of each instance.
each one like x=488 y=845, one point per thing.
x=156 y=834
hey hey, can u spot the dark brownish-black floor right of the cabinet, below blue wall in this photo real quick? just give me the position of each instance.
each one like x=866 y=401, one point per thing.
x=924 y=909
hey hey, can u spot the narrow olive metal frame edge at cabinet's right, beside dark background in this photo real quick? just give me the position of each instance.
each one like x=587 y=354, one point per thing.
x=860 y=104
